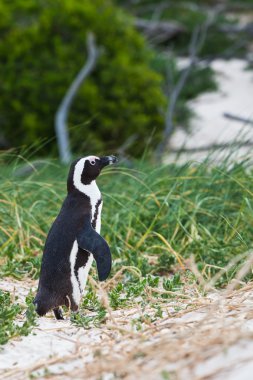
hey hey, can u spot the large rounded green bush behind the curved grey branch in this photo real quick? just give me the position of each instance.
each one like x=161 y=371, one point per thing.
x=43 y=47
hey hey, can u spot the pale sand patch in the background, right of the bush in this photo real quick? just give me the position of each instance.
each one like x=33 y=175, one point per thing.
x=209 y=126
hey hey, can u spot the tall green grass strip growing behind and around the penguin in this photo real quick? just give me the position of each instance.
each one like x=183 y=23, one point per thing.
x=156 y=219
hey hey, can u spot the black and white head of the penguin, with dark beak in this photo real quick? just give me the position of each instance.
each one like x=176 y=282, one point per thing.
x=86 y=169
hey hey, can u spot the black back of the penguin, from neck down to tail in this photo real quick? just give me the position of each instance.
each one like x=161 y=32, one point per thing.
x=55 y=283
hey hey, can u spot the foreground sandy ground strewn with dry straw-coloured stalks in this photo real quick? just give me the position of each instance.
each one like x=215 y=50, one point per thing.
x=198 y=338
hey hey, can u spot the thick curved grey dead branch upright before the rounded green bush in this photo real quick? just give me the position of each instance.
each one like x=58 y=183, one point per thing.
x=61 y=116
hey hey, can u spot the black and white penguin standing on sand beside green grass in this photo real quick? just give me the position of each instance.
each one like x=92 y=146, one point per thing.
x=74 y=241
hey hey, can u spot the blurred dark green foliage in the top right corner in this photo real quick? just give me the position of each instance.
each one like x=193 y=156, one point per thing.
x=193 y=14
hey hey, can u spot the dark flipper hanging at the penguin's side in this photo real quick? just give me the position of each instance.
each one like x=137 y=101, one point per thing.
x=89 y=240
